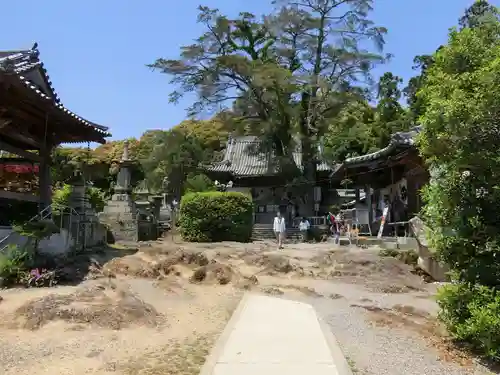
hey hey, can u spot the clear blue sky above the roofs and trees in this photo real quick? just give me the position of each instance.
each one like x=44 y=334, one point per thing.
x=95 y=51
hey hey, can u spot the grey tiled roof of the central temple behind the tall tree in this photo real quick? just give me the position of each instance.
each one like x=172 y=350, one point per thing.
x=243 y=158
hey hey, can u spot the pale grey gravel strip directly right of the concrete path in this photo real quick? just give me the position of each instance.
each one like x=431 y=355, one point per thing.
x=383 y=350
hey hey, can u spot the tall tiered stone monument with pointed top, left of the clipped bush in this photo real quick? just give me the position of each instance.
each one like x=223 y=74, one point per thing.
x=120 y=212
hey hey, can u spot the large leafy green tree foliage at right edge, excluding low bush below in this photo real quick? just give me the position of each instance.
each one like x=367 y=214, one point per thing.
x=460 y=143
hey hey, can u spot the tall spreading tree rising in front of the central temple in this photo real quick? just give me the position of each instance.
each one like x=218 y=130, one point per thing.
x=292 y=69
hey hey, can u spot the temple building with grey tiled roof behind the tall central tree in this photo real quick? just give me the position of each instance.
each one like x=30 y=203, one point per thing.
x=253 y=171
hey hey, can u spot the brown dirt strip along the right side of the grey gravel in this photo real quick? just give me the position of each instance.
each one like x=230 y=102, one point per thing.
x=423 y=324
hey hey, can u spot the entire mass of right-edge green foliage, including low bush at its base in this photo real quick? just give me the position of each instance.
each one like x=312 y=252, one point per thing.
x=459 y=141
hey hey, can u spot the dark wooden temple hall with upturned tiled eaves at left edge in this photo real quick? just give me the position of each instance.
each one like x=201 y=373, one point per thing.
x=33 y=121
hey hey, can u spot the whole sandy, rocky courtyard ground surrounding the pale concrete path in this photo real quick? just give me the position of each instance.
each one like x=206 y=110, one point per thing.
x=160 y=309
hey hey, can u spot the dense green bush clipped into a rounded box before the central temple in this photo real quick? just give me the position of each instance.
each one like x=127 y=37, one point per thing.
x=216 y=216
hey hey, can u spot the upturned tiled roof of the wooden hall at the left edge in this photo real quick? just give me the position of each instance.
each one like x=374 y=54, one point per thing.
x=27 y=67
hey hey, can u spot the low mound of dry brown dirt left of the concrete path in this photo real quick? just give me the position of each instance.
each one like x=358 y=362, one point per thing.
x=104 y=306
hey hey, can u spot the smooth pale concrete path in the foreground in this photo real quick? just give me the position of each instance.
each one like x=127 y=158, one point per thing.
x=275 y=336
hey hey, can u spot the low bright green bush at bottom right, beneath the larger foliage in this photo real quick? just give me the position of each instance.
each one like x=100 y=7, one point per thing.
x=472 y=314
